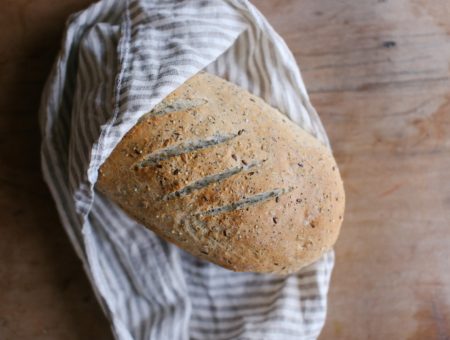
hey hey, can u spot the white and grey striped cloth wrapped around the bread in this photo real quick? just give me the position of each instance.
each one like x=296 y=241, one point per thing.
x=118 y=59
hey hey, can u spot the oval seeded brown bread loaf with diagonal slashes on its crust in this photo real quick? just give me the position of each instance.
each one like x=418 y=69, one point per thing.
x=220 y=173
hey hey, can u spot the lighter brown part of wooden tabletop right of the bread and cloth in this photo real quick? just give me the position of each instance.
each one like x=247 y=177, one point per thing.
x=378 y=73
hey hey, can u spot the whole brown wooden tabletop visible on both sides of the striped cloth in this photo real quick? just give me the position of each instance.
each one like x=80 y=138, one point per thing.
x=377 y=72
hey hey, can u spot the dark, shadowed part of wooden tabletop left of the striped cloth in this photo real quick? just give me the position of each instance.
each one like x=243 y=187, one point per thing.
x=44 y=293
